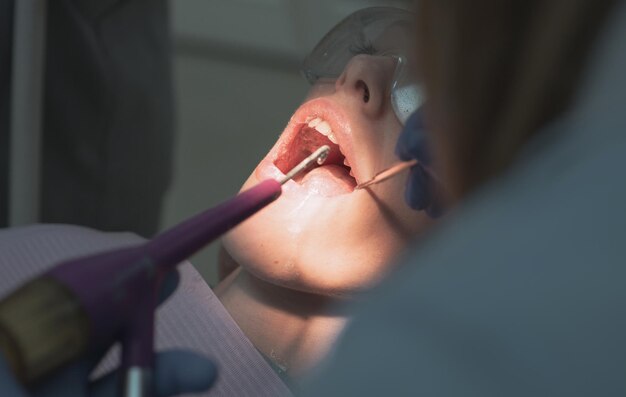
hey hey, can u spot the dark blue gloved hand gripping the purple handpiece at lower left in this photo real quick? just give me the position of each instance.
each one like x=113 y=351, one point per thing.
x=176 y=372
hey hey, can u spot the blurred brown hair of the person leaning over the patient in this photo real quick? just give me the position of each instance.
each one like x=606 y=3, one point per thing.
x=495 y=71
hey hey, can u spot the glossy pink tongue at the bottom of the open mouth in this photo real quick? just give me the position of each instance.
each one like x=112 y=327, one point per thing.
x=328 y=180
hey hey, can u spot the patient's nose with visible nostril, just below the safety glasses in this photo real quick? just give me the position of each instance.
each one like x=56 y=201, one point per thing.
x=366 y=80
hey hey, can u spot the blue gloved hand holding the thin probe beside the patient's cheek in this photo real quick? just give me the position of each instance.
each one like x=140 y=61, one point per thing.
x=423 y=190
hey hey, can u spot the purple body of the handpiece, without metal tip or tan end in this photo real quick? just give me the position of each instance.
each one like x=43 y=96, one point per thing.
x=126 y=302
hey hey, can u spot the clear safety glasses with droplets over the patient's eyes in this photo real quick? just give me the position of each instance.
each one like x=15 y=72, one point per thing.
x=377 y=31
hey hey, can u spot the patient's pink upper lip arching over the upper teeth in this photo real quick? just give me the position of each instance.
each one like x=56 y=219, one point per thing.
x=339 y=123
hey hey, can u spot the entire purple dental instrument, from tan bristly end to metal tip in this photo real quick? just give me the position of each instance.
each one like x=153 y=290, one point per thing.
x=81 y=306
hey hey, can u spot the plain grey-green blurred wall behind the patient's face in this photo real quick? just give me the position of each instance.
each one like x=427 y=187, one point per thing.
x=237 y=82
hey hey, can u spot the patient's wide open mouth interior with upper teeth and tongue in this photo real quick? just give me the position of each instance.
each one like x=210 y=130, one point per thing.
x=332 y=178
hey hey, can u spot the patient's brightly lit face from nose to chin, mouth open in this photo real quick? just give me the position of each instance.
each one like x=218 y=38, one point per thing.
x=321 y=235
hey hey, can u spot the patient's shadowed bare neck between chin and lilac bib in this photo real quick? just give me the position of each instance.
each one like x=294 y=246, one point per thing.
x=293 y=329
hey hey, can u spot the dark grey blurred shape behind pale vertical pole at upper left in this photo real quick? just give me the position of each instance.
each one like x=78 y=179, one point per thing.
x=108 y=113
